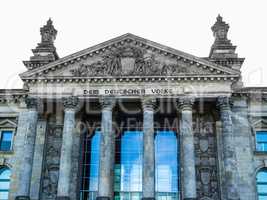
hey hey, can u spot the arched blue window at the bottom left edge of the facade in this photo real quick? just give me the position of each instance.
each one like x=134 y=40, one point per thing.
x=4 y=182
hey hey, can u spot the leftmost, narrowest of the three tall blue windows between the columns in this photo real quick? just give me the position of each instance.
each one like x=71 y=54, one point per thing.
x=90 y=168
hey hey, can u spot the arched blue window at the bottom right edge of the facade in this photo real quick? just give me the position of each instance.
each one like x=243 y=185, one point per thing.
x=262 y=184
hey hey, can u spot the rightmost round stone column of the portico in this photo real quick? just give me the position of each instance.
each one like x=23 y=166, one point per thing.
x=229 y=155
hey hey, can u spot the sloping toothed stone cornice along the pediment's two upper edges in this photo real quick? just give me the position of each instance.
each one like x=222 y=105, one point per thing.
x=119 y=41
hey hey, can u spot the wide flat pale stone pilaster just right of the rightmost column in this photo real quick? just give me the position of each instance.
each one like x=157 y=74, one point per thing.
x=242 y=132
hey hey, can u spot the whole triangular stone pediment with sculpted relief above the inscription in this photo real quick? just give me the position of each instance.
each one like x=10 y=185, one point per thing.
x=129 y=56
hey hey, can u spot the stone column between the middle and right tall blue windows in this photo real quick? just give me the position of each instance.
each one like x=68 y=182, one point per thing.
x=149 y=150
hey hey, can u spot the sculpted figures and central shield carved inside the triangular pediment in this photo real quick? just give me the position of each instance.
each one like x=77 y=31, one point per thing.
x=129 y=60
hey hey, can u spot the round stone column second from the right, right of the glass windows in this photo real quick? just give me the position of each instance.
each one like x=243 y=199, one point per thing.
x=187 y=149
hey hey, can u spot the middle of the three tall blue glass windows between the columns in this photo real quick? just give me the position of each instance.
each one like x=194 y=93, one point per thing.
x=128 y=166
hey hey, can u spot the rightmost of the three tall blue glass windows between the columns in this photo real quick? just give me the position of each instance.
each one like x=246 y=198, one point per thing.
x=166 y=163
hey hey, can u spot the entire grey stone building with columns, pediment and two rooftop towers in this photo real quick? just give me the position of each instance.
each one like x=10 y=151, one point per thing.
x=131 y=119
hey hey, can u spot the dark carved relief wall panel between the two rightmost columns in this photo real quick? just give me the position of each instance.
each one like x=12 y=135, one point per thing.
x=206 y=158
